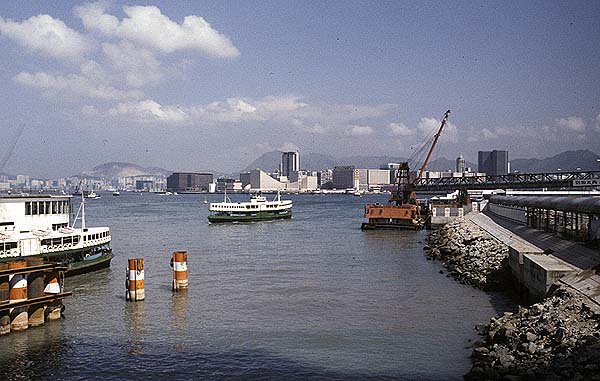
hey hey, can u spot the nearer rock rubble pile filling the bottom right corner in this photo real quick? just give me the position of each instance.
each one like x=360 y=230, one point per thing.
x=557 y=339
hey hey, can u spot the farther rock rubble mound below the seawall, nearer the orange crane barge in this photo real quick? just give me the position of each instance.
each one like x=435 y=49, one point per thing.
x=470 y=254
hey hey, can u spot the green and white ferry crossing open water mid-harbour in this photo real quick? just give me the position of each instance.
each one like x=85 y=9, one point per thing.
x=257 y=209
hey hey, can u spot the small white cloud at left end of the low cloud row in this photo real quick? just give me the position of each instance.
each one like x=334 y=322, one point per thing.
x=148 y=111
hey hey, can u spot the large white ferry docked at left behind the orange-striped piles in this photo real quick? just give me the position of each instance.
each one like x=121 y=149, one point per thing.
x=40 y=226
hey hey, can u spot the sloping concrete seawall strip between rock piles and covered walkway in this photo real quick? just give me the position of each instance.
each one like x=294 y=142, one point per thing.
x=538 y=259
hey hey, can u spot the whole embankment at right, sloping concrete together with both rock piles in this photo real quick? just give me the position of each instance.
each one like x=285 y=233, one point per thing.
x=556 y=338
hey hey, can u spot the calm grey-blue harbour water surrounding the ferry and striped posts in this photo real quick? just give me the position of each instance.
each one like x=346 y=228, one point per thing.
x=309 y=298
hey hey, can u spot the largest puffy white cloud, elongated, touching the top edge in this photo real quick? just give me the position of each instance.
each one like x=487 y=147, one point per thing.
x=146 y=25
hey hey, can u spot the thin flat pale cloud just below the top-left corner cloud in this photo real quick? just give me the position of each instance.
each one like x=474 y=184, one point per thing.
x=73 y=85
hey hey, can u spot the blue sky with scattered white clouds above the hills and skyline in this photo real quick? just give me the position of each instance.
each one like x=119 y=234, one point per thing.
x=212 y=85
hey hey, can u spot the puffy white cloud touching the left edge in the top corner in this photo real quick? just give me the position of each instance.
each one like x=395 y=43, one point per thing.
x=47 y=35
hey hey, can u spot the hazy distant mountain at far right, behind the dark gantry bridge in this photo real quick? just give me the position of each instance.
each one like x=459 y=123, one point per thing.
x=567 y=161
